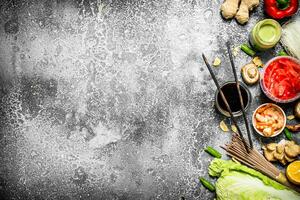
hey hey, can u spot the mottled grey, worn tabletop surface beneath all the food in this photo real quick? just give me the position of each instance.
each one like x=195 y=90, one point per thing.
x=110 y=99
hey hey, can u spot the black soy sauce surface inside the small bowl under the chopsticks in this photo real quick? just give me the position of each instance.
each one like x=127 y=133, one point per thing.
x=230 y=92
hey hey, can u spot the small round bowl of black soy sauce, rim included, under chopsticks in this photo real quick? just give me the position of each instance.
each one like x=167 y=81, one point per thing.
x=230 y=92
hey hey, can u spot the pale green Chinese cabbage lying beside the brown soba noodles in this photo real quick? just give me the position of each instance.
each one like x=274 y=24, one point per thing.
x=239 y=182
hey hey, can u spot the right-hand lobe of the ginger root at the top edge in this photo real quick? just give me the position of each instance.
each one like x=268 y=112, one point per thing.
x=242 y=16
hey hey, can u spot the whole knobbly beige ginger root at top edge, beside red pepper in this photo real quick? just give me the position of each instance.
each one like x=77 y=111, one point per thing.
x=238 y=9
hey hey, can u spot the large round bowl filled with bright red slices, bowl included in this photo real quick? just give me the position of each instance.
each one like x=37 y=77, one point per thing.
x=280 y=80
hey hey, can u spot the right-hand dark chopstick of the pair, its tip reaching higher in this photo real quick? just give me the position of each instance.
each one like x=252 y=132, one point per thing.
x=240 y=94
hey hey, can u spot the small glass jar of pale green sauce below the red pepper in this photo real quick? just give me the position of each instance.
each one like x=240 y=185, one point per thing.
x=265 y=34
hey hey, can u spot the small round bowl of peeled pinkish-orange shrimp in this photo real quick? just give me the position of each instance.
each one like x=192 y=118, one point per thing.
x=269 y=120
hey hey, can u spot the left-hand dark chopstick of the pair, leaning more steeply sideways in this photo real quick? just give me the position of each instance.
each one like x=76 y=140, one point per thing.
x=225 y=101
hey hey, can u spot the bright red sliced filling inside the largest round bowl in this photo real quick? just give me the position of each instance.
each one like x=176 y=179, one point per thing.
x=282 y=78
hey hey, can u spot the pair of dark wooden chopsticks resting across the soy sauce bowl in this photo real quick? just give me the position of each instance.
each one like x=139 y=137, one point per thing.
x=226 y=102
